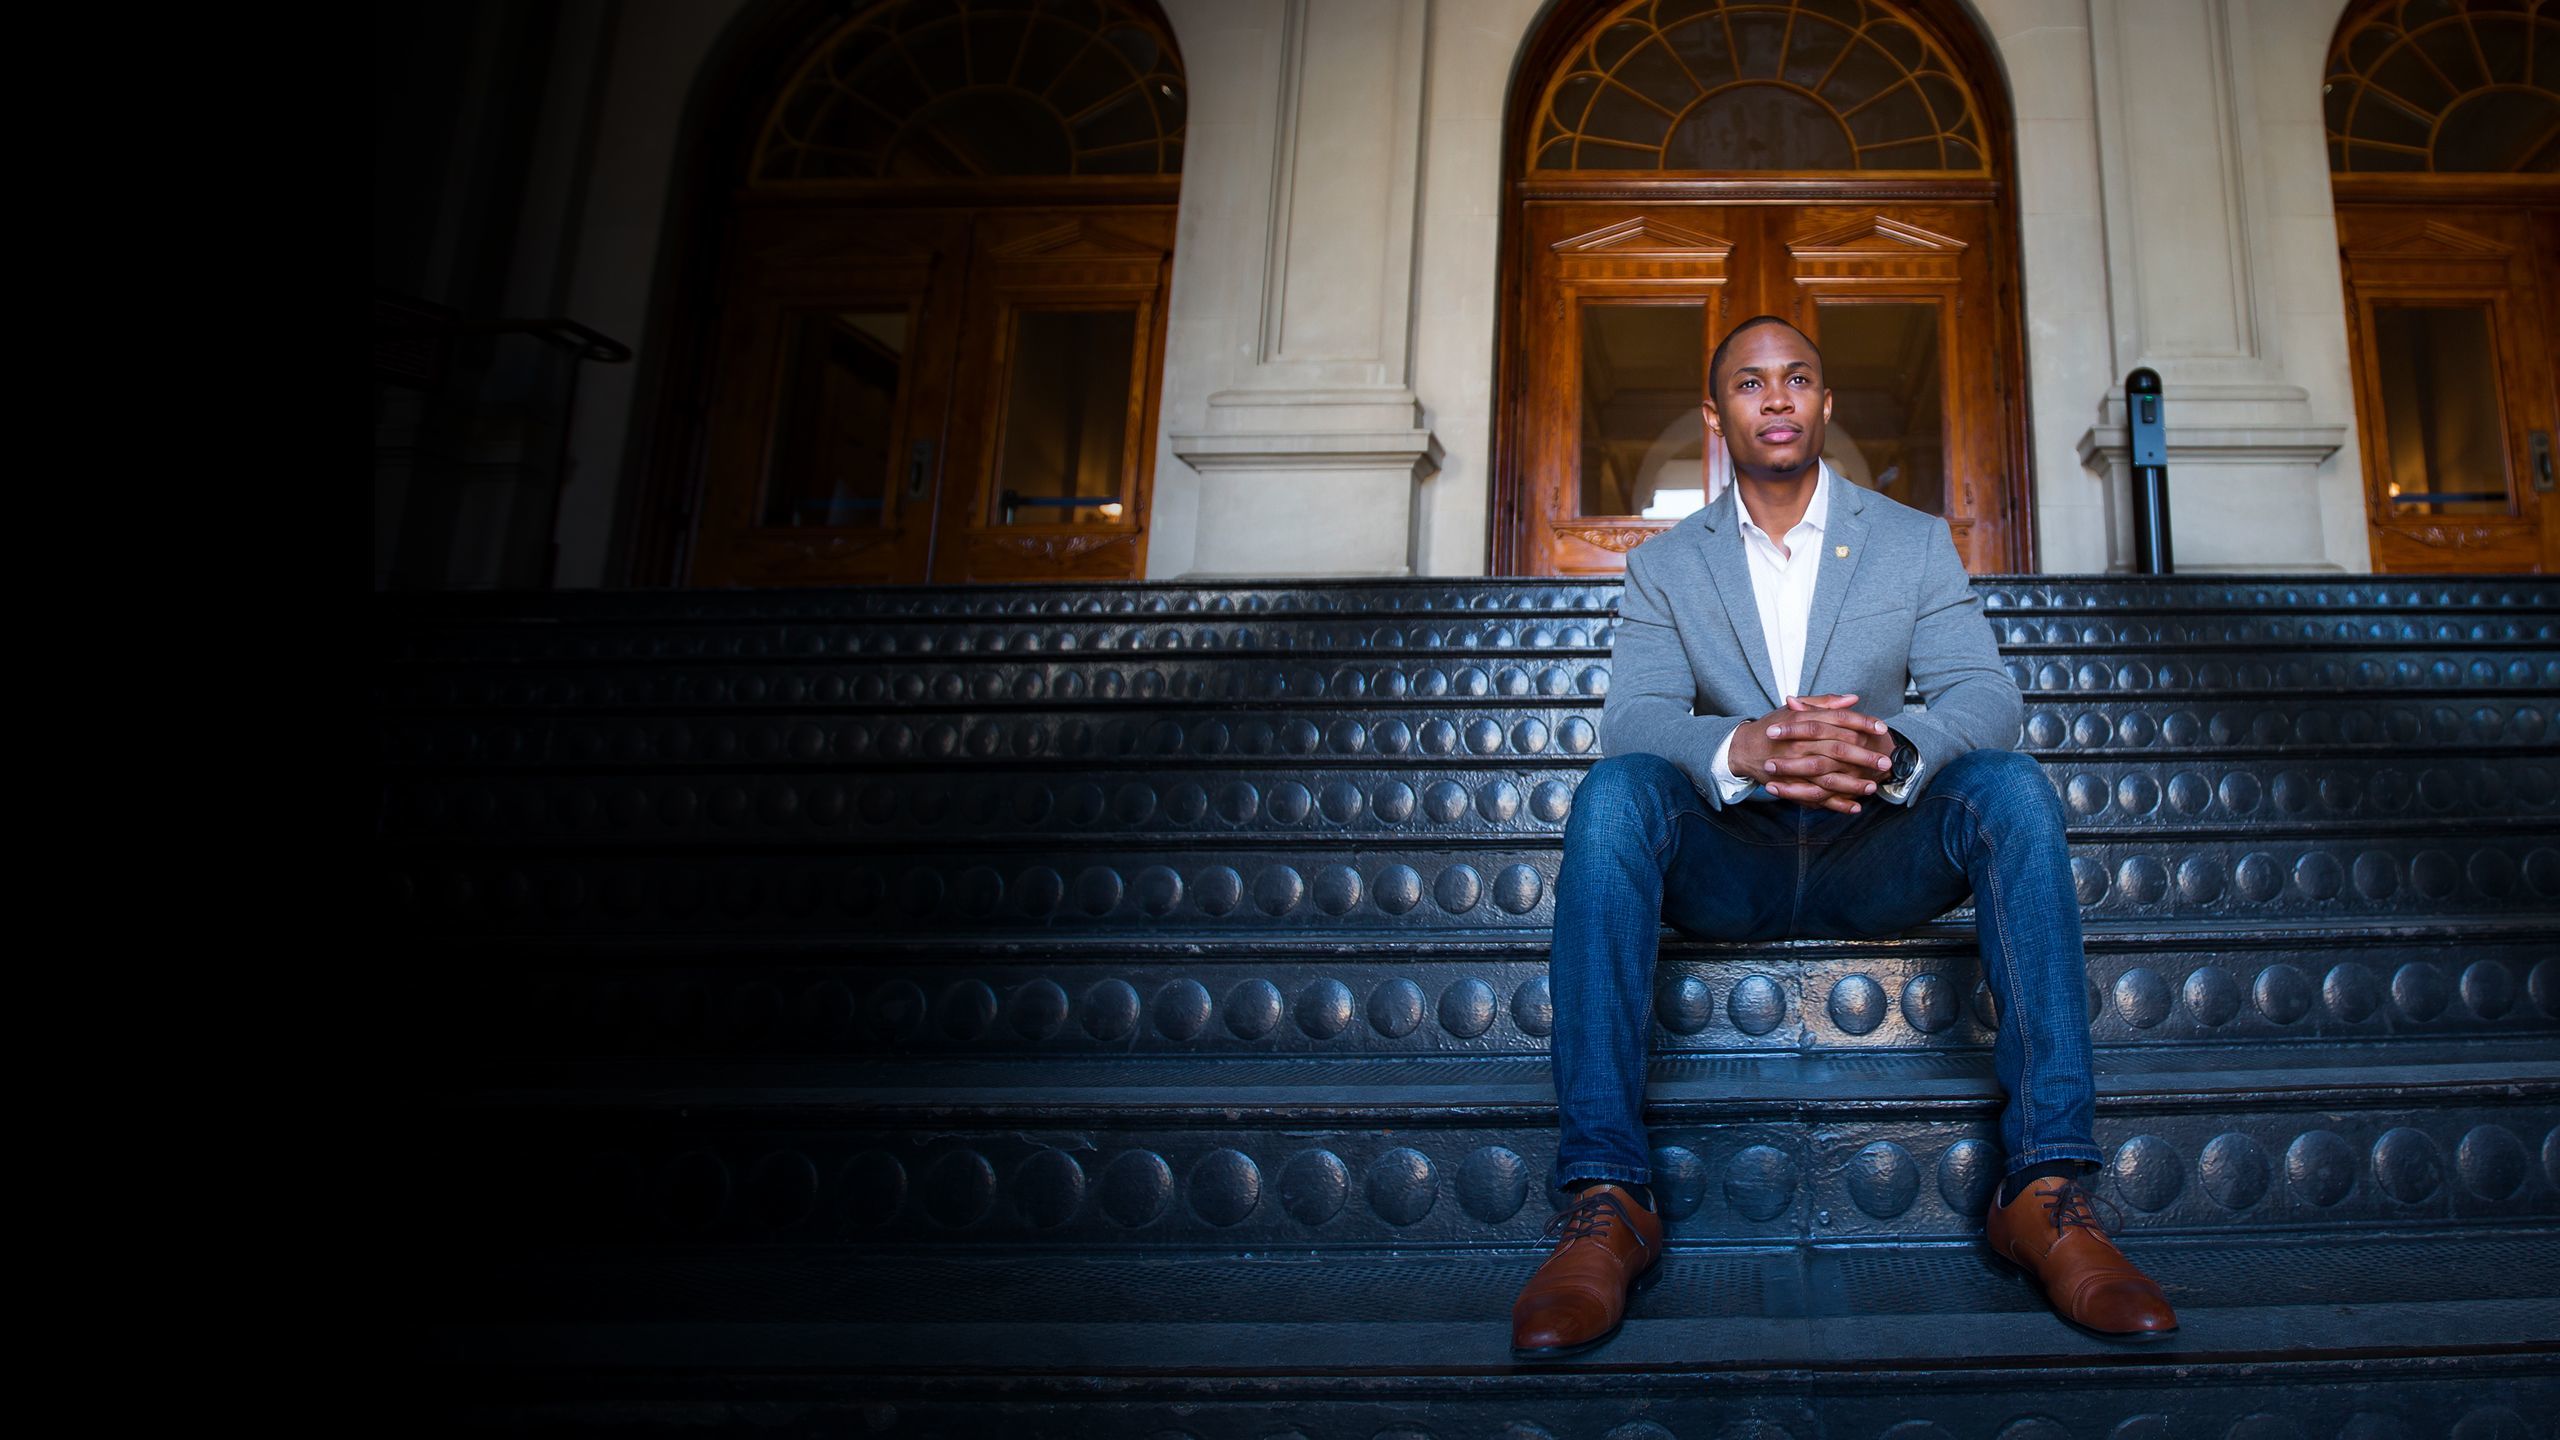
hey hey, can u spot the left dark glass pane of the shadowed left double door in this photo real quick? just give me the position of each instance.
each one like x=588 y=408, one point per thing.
x=838 y=421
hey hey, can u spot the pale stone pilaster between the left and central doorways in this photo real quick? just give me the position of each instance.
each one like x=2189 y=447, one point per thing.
x=1289 y=373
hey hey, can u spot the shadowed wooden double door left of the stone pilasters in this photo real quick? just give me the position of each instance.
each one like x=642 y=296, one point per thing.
x=936 y=396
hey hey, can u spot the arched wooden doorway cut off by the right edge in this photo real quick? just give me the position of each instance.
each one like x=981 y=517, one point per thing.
x=2444 y=127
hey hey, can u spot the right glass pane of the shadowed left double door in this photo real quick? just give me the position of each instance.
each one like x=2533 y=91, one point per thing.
x=1066 y=419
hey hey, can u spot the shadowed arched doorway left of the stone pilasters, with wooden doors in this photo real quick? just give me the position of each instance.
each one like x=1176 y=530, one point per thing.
x=941 y=301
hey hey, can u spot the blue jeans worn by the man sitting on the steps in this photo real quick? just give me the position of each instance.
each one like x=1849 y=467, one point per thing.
x=1642 y=847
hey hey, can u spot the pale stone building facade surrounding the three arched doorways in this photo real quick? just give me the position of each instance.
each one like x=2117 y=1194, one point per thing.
x=1345 y=250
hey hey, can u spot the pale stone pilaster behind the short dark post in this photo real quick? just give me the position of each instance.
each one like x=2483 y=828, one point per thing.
x=2223 y=278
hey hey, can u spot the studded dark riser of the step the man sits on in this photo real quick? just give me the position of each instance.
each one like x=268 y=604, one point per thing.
x=1926 y=990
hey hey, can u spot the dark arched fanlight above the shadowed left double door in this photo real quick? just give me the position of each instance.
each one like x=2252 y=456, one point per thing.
x=977 y=91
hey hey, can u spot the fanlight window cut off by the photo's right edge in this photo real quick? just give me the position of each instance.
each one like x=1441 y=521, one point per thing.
x=2446 y=86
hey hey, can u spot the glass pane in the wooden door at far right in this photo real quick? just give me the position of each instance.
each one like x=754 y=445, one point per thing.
x=2444 y=429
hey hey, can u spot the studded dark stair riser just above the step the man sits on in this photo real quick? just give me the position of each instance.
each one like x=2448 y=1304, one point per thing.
x=1335 y=885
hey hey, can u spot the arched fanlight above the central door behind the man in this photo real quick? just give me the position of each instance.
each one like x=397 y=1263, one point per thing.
x=1719 y=86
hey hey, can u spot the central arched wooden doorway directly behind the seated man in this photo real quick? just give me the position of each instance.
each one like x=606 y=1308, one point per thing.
x=1678 y=165
